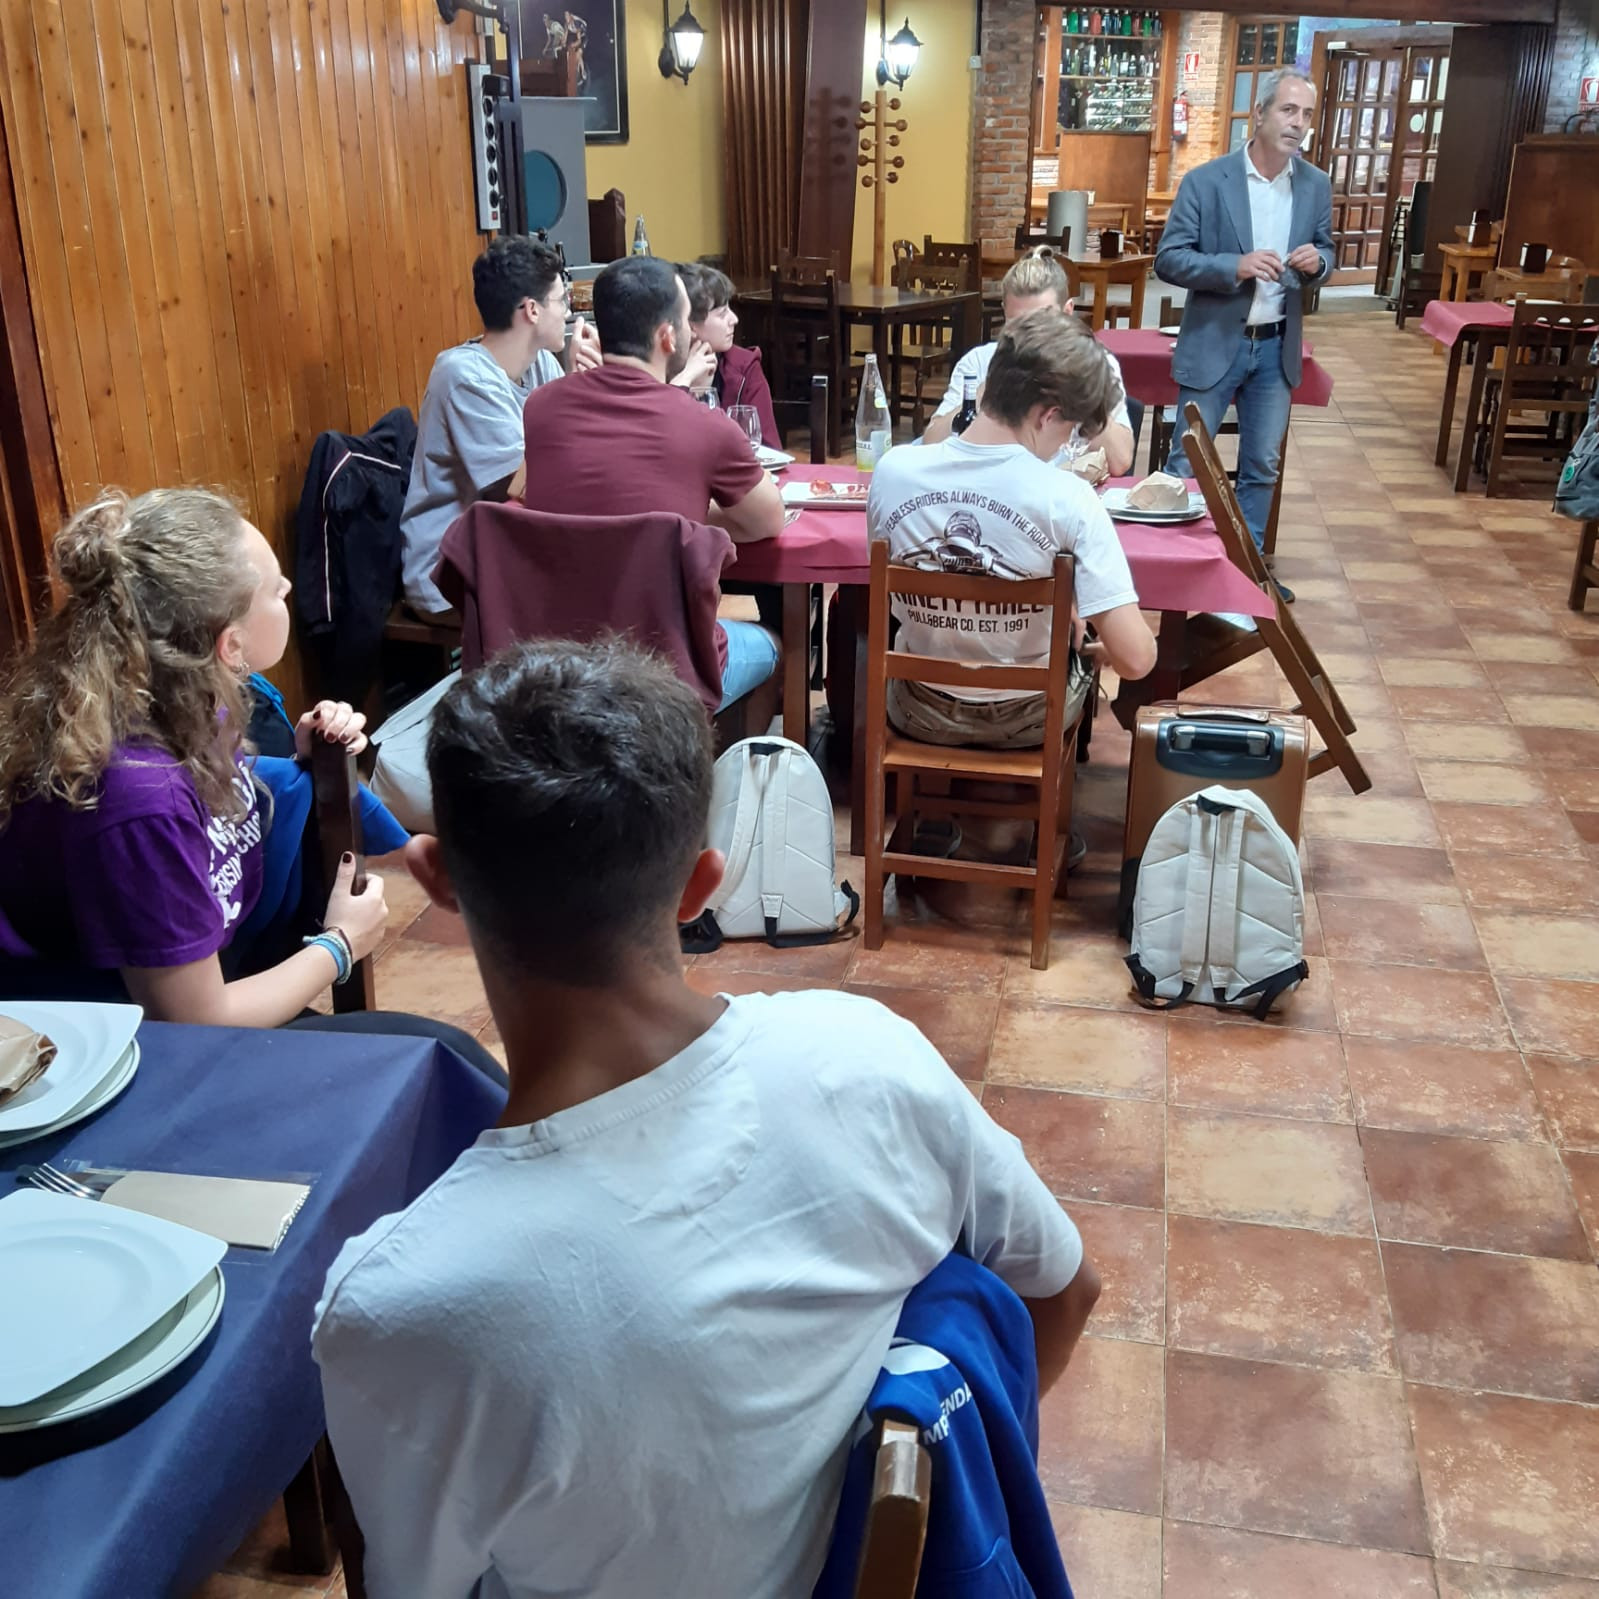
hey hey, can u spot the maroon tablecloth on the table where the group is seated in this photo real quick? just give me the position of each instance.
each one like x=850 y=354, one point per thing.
x=1173 y=568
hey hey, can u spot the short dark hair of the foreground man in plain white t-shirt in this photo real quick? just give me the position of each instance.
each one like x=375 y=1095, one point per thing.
x=572 y=791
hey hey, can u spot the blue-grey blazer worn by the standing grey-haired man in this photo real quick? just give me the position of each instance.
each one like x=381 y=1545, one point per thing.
x=1208 y=231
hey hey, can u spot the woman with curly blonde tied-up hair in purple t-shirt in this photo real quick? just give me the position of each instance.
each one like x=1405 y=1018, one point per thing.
x=132 y=835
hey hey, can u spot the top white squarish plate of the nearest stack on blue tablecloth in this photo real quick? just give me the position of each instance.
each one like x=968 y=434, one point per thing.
x=81 y=1280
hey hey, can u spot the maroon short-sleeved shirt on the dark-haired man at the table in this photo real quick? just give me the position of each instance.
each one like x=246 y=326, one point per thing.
x=616 y=441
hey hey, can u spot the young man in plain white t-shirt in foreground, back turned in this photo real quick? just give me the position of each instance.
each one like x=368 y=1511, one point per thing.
x=621 y=1346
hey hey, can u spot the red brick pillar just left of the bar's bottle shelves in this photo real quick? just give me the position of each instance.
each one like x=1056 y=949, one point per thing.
x=1003 y=90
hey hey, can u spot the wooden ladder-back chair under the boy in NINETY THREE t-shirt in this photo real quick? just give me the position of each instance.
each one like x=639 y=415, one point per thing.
x=1051 y=768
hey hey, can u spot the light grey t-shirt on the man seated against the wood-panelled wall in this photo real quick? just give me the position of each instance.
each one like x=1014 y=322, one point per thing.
x=468 y=439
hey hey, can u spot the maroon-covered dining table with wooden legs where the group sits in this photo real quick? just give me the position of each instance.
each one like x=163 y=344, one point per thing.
x=1178 y=570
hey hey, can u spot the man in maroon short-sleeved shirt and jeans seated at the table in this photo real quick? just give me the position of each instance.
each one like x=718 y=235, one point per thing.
x=623 y=439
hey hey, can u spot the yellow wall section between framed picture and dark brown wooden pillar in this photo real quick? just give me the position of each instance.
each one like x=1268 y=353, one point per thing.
x=672 y=167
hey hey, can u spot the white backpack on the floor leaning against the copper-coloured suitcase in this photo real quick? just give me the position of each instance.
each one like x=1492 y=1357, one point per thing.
x=1219 y=914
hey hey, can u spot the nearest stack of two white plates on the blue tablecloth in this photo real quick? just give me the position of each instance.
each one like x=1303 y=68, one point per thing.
x=95 y=1304
